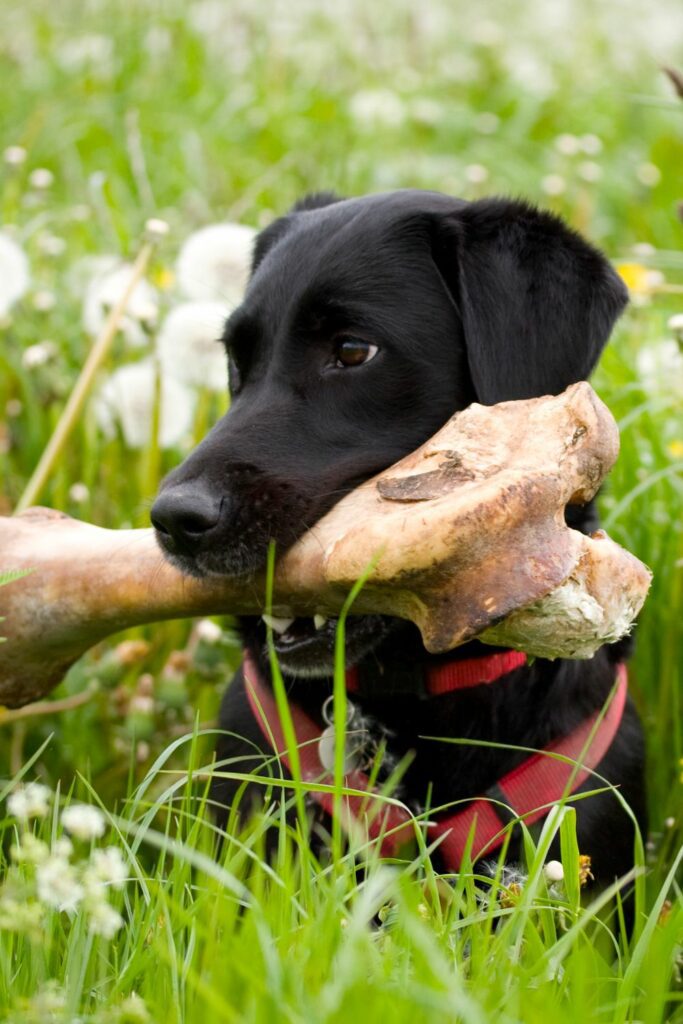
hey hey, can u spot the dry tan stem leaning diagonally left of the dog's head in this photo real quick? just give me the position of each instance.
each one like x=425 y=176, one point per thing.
x=82 y=388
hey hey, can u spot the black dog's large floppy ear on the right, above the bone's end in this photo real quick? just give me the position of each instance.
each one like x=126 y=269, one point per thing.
x=537 y=302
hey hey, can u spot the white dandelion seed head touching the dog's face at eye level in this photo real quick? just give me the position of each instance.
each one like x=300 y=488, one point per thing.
x=188 y=346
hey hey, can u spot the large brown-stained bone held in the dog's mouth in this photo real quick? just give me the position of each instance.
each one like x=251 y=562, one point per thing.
x=466 y=537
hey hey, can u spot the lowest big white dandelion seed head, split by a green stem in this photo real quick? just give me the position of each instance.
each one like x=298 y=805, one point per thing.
x=129 y=397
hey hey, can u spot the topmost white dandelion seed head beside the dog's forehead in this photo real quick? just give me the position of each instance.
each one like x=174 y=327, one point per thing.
x=215 y=264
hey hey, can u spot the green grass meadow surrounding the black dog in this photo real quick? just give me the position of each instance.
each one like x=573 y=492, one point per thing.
x=204 y=112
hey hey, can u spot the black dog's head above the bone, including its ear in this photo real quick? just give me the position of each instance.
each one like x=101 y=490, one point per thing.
x=366 y=325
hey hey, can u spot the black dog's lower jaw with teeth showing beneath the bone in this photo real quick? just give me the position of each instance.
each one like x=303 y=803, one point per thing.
x=308 y=653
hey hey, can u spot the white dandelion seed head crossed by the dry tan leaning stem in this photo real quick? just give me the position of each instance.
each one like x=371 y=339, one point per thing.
x=111 y=280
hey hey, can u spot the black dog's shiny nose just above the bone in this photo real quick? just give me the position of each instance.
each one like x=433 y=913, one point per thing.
x=185 y=517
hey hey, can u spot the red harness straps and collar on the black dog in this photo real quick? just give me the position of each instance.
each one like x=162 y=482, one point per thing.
x=528 y=792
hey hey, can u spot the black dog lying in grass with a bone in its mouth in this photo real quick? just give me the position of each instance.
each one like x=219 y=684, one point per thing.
x=366 y=325
